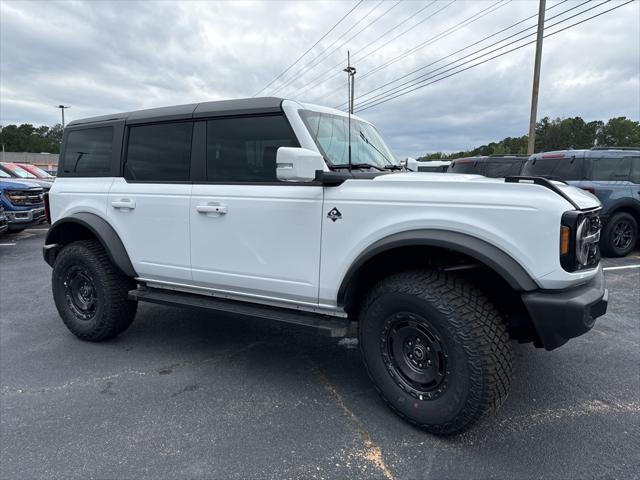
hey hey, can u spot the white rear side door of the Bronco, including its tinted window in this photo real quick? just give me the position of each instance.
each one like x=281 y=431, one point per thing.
x=149 y=205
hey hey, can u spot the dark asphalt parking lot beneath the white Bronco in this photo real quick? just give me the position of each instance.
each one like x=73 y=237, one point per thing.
x=185 y=395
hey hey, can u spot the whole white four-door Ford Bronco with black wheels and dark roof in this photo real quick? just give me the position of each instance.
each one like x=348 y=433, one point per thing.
x=296 y=213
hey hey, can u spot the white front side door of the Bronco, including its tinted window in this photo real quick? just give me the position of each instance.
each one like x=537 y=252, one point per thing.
x=252 y=235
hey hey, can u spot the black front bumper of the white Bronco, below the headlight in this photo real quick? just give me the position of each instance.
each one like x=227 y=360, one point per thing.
x=560 y=315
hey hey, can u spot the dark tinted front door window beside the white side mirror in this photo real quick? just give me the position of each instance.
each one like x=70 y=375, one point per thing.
x=244 y=149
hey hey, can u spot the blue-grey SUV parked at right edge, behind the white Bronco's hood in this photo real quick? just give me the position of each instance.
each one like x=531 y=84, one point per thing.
x=610 y=173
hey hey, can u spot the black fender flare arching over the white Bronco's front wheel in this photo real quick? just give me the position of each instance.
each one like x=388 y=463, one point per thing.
x=490 y=255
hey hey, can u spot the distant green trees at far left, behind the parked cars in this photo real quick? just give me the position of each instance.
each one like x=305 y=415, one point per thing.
x=27 y=138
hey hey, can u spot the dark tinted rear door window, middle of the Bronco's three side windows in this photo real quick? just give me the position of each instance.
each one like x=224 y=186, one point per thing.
x=159 y=153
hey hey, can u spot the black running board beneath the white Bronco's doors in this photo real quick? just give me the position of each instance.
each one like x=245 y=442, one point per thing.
x=327 y=325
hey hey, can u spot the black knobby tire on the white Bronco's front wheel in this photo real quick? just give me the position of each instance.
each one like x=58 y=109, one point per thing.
x=479 y=354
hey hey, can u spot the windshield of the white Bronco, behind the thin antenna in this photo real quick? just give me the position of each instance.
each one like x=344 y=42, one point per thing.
x=331 y=134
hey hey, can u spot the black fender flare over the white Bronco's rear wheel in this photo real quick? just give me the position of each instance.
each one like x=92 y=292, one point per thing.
x=100 y=228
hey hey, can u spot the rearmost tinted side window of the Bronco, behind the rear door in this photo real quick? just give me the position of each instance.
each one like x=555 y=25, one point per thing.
x=88 y=152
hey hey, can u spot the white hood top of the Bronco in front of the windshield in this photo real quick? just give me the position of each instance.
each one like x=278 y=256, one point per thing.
x=582 y=198
